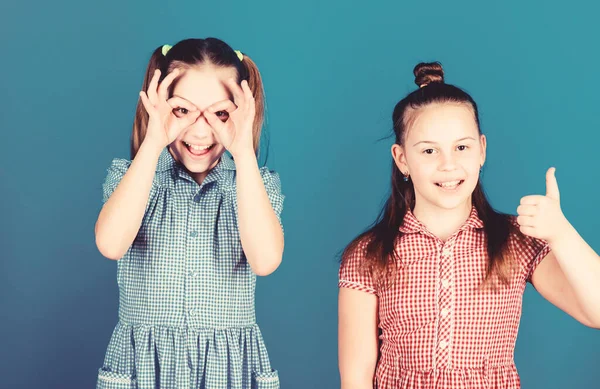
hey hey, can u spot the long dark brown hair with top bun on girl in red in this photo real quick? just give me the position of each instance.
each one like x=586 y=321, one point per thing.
x=381 y=258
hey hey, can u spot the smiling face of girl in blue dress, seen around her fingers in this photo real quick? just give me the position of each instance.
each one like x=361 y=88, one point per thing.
x=197 y=147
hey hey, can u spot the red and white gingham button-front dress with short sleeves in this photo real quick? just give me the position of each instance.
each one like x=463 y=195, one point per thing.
x=439 y=328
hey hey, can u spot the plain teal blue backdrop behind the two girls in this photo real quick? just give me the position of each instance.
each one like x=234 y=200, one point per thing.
x=333 y=72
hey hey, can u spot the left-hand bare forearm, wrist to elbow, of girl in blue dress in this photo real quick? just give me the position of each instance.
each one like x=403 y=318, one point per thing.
x=121 y=216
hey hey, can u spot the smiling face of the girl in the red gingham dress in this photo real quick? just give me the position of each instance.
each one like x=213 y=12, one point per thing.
x=443 y=153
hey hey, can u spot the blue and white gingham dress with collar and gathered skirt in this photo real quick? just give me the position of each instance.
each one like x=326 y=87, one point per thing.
x=186 y=291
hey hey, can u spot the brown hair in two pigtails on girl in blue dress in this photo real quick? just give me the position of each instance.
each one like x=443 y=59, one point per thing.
x=195 y=52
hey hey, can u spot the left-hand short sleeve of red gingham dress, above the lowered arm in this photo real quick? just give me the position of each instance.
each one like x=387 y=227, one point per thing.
x=352 y=273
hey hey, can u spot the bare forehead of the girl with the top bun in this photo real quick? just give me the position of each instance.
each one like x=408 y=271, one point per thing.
x=441 y=123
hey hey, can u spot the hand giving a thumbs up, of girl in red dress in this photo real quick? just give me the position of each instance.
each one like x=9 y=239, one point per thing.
x=540 y=216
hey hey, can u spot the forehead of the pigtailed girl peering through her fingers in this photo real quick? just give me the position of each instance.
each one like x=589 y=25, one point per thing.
x=204 y=85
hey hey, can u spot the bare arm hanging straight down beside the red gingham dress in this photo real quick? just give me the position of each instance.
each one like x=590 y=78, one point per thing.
x=357 y=337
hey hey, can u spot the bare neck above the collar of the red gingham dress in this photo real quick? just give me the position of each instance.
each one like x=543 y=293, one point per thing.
x=443 y=222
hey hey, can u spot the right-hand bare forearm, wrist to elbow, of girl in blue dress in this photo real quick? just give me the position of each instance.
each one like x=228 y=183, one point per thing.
x=260 y=231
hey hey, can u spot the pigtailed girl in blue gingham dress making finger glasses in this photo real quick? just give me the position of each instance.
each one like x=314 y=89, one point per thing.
x=192 y=226
